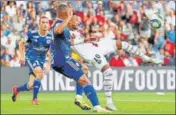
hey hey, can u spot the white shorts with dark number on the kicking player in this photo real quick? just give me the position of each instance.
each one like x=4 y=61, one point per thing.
x=96 y=55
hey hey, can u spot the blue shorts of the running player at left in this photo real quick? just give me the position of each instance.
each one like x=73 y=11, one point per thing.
x=32 y=64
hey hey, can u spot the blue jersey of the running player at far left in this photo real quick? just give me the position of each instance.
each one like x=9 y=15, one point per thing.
x=38 y=45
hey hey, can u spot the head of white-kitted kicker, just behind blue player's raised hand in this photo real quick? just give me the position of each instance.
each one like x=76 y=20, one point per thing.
x=74 y=22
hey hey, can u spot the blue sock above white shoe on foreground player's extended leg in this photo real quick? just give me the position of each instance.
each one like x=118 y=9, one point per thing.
x=91 y=94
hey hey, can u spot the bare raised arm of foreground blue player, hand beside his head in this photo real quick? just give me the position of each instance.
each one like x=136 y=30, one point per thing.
x=60 y=28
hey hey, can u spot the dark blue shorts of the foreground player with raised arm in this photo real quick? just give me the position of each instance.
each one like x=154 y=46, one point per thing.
x=71 y=69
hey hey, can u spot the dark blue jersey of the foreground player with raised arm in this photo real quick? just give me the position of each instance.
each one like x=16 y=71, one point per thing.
x=61 y=44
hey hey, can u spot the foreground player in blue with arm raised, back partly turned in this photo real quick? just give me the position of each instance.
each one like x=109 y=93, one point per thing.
x=63 y=62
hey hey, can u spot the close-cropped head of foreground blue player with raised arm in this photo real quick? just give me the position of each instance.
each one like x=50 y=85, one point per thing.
x=62 y=11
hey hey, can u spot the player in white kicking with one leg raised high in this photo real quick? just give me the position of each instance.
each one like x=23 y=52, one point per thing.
x=95 y=55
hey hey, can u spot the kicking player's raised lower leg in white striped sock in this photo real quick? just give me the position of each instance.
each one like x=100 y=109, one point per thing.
x=136 y=51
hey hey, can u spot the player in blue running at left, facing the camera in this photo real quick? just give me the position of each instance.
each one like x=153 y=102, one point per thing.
x=38 y=45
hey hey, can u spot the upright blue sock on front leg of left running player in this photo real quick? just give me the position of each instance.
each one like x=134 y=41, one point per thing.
x=37 y=84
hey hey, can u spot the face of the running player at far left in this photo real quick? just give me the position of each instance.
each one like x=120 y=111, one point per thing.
x=44 y=24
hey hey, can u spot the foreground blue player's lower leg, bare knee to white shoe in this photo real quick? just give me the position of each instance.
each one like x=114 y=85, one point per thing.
x=91 y=94
